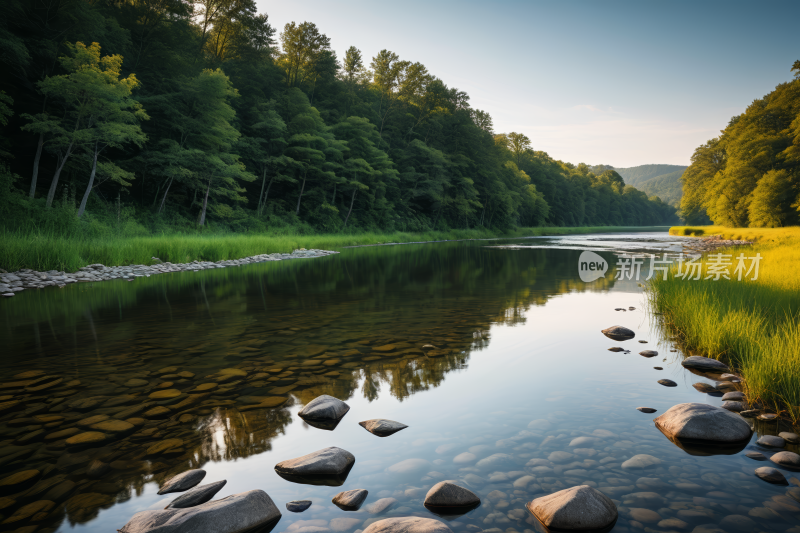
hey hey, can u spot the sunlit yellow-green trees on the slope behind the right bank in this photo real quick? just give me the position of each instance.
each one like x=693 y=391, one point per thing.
x=750 y=175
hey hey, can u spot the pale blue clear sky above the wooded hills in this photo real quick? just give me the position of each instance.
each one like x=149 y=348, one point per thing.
x=622 y=83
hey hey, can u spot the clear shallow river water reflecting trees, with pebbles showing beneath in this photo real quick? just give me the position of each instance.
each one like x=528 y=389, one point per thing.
x=520 y=397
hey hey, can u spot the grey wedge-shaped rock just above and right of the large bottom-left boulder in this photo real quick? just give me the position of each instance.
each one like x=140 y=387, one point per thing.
x=328 y=466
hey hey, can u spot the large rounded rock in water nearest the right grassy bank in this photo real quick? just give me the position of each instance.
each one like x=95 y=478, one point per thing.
x=704 y=423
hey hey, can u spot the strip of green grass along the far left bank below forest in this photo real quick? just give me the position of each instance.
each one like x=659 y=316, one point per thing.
x=40 y=251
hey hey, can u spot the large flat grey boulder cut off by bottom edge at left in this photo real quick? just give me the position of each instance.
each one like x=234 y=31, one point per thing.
x=235 y=514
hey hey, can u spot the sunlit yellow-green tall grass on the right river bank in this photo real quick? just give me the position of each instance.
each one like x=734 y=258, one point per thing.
x=753 y=325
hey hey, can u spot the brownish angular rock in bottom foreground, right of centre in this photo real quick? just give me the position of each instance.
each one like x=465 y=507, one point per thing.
x=575 y=509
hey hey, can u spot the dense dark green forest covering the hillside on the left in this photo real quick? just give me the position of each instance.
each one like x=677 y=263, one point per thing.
x=136 y=116
